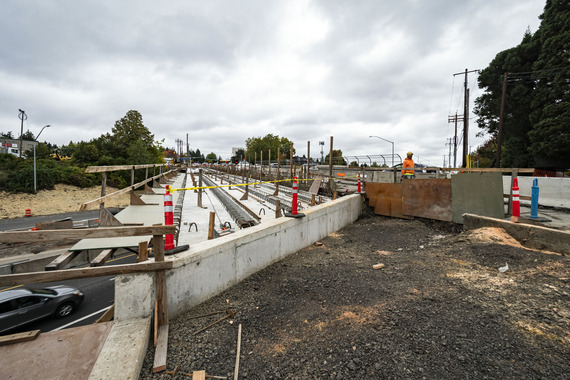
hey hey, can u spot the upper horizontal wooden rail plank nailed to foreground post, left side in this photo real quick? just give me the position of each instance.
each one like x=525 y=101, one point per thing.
x=78 y=234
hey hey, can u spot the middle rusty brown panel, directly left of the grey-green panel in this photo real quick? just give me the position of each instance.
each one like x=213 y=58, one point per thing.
x=427 y=198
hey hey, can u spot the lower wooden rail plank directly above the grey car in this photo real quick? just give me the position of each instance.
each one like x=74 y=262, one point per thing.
x=69 y=274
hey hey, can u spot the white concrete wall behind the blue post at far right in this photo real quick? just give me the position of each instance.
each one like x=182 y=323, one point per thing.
x=553 y=192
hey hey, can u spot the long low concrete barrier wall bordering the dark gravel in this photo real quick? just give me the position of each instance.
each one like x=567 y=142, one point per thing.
x=210 y=267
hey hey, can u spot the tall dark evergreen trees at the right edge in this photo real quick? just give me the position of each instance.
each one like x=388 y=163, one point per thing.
x=537 y=99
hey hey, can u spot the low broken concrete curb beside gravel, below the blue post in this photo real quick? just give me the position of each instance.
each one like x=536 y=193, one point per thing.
x=531 y=236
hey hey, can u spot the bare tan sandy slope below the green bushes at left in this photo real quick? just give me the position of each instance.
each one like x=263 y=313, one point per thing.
x=47 y=202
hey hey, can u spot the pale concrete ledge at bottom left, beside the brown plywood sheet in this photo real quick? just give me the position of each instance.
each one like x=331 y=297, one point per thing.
x=124 y=351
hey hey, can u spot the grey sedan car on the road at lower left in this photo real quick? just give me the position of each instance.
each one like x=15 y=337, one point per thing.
x=24 y=305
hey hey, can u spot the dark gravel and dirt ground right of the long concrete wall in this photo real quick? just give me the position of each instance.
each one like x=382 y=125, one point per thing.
x=440 y=308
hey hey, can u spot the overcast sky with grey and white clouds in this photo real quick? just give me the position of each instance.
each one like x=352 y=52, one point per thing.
x=223 y=71
